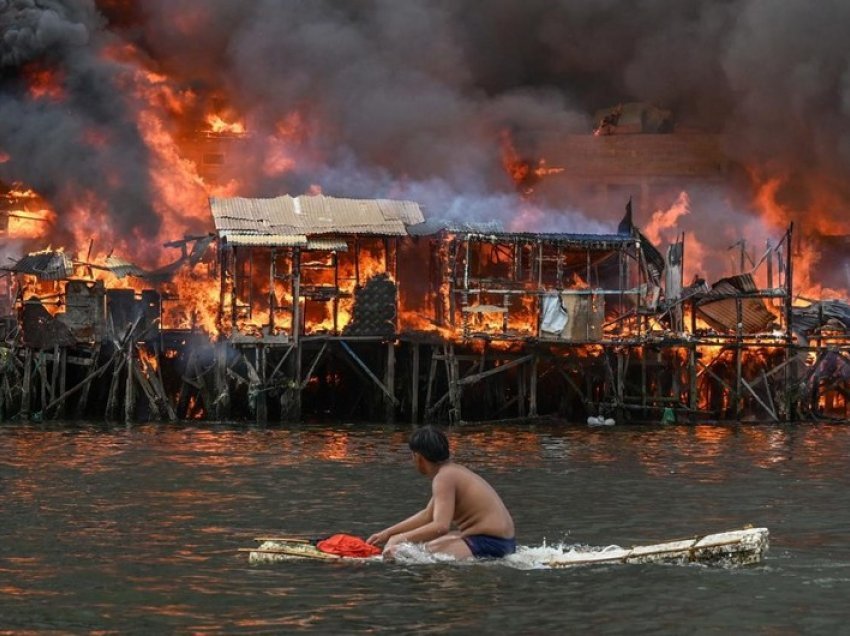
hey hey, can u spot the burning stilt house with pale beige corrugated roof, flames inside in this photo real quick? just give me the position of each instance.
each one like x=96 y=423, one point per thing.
x=310 y=265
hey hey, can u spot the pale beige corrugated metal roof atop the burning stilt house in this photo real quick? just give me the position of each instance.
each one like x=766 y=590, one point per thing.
x=307 y=215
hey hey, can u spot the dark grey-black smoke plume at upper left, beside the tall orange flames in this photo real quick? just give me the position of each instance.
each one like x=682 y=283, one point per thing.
x=51 y=143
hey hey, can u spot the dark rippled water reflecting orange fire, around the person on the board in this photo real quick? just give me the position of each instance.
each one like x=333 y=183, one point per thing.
x=136 y=529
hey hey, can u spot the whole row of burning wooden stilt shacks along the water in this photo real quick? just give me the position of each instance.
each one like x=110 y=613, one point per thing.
x=317 y=307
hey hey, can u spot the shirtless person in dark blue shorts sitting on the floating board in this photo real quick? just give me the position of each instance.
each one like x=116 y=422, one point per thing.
x=460 y=499
